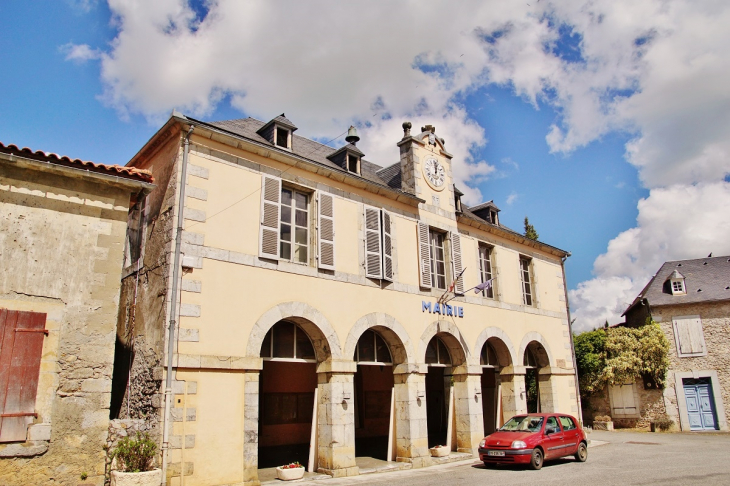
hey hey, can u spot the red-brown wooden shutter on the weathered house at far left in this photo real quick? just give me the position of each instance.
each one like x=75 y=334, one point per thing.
x=21 y=347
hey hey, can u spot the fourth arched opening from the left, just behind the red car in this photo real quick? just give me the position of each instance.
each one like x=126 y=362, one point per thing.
x=494 y=356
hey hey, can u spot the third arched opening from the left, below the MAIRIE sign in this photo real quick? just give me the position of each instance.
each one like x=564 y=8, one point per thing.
x=438 y=391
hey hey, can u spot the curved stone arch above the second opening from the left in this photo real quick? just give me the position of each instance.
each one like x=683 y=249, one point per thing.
x=392 y=331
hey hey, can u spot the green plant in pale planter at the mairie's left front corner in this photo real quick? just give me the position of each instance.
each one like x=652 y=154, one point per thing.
x=134 y=458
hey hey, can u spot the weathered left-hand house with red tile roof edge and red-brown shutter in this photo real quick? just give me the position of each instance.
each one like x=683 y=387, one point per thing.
x=63 y=227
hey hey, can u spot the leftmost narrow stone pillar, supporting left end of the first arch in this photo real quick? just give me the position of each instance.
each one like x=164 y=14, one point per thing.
x=251 y=428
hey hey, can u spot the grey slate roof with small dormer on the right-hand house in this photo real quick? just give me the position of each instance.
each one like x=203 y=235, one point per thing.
x=705 y=280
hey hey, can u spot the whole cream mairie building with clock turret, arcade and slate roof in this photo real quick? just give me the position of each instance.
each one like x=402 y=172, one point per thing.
x=312 y=319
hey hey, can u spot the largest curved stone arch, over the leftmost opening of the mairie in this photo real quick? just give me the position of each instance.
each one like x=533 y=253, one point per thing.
x=320 y=331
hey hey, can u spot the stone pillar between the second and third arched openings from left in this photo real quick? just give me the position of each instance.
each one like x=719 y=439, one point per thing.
x=411 y=427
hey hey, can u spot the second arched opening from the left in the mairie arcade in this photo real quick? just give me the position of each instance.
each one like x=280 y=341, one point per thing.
x=373 y=391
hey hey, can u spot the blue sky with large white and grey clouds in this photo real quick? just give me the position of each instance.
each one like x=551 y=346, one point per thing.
x=606 y=122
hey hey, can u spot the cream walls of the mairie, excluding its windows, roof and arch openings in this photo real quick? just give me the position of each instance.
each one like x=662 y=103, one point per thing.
x=232 y=297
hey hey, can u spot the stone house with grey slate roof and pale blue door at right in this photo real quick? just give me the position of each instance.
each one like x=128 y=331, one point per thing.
x=690 y=299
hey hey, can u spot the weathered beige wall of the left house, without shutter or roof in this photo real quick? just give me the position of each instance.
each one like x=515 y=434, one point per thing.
x=61 y=251
